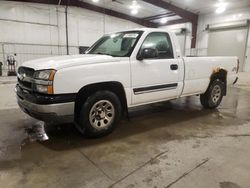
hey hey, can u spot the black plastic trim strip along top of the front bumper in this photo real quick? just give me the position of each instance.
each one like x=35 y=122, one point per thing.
x=44 y=99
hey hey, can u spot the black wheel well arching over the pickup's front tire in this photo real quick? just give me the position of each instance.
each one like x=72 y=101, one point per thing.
x=86 y=91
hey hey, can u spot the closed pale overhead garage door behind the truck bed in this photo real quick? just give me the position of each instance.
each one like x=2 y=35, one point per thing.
x=230 y=42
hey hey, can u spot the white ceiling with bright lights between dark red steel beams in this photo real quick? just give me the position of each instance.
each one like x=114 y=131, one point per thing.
x=149 y=10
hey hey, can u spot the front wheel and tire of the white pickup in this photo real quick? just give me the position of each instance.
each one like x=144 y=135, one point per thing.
x=99 y=114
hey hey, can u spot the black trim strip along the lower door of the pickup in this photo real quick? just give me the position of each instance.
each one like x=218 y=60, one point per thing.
x=155 y=88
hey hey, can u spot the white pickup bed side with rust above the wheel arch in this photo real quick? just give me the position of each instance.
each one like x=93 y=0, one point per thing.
x=198 y=71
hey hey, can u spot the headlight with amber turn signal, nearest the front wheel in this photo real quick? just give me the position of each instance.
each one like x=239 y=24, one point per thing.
x=43 y=81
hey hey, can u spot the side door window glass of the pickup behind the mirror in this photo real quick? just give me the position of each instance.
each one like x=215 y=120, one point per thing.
x=161 y=43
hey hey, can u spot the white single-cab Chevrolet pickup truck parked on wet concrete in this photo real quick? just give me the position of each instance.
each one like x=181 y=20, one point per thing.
x=120 y=71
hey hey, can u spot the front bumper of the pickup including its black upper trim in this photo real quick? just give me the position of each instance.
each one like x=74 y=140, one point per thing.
x=48 y=111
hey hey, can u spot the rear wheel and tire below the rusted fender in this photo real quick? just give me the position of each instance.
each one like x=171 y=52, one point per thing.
x=214 y=94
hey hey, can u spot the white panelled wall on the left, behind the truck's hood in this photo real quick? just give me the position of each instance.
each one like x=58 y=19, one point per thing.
x=38 y=30
